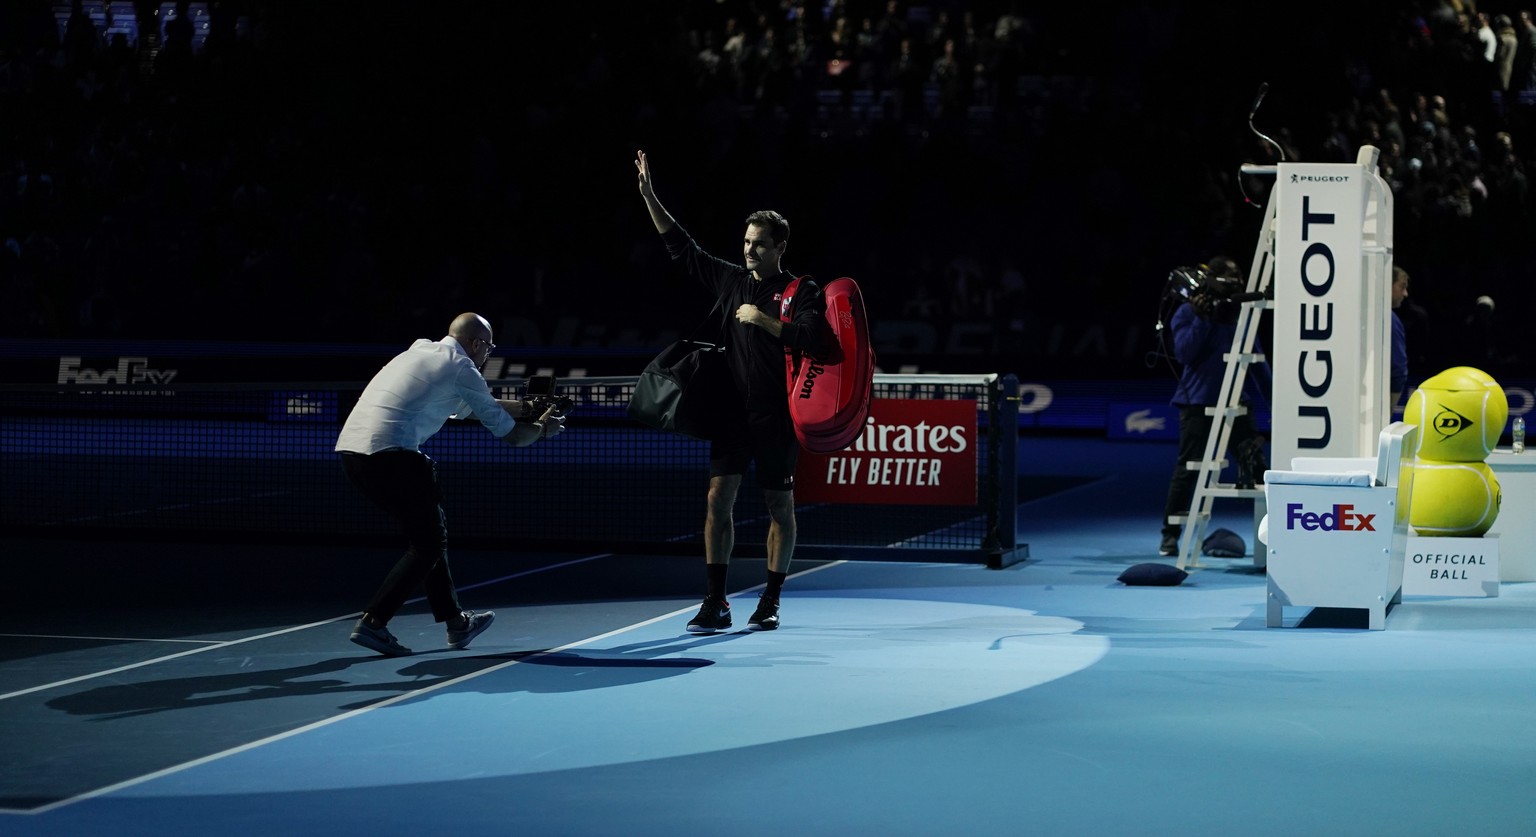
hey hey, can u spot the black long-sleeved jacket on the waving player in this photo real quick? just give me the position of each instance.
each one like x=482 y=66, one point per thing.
x=755 y=356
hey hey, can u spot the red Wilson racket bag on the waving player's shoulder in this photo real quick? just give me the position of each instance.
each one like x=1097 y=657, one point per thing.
x=830 y=397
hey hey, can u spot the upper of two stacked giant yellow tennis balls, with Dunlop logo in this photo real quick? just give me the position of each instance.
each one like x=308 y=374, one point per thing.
x=1460 y=414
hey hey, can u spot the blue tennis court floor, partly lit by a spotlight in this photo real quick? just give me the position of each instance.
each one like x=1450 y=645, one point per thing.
x=205 y=689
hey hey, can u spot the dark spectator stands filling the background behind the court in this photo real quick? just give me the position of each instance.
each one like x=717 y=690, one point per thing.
x=362 y=173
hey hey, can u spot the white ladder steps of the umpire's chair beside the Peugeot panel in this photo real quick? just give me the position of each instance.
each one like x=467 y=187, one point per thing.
x=1240 y=357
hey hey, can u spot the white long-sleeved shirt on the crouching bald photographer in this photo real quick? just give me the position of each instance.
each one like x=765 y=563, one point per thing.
x=415 y=394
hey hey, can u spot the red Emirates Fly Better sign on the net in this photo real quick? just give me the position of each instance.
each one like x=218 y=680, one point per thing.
x=910 y=454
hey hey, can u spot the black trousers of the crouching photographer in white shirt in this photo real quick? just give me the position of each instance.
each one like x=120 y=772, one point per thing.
x=405 y=483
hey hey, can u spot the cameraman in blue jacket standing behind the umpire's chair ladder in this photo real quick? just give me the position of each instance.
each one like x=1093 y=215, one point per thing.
x=1202 y=331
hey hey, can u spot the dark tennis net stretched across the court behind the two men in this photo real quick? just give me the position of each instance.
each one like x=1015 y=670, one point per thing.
x=256 y=462
